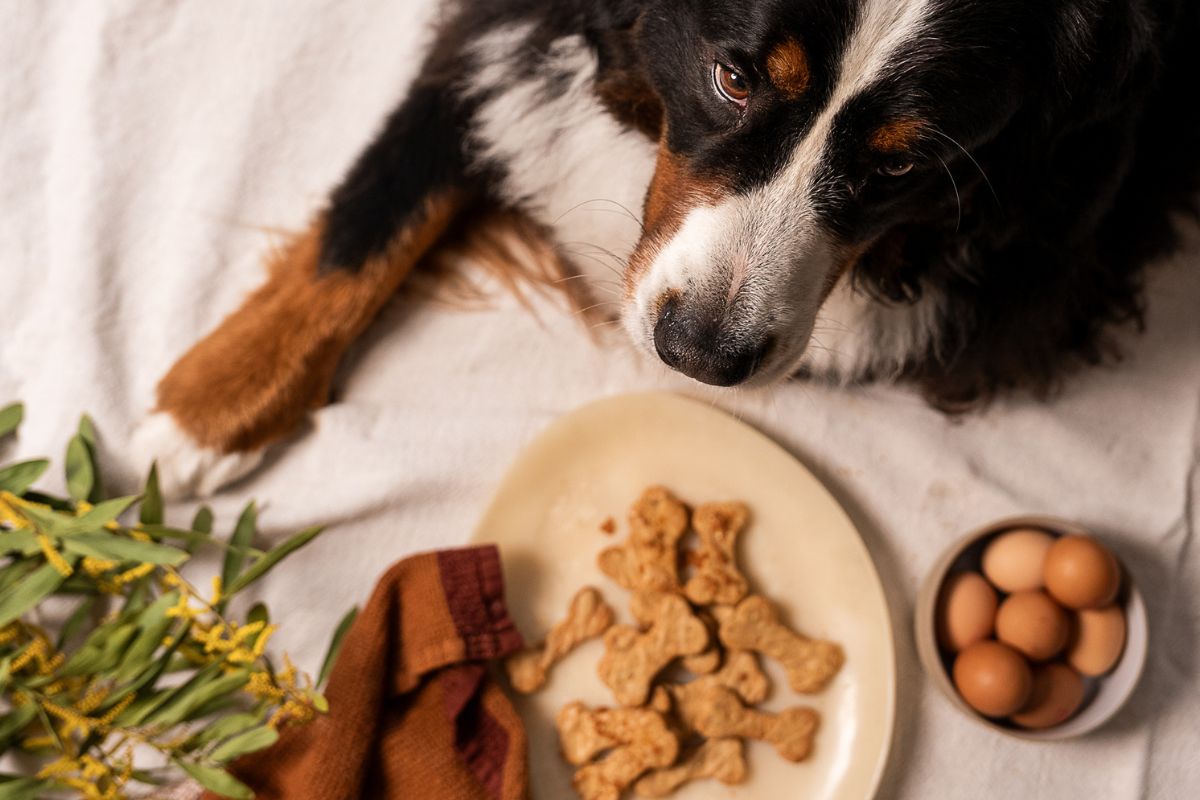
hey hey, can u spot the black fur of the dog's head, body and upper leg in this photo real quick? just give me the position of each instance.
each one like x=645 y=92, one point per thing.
x=1070 y=131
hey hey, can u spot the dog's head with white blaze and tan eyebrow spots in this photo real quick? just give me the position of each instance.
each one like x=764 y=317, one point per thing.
x=796 y=134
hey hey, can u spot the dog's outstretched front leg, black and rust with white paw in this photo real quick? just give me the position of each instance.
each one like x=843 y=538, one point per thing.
x=254 y=380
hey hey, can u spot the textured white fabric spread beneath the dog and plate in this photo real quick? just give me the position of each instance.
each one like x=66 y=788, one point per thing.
x=149 y=147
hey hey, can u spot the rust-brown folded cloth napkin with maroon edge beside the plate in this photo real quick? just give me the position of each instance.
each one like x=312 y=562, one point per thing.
x=412 y=709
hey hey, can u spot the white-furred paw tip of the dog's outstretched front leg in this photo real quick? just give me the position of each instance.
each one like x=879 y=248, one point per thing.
x=187 y=470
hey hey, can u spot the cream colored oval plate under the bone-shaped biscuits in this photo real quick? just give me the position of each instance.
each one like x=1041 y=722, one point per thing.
x=801 y=551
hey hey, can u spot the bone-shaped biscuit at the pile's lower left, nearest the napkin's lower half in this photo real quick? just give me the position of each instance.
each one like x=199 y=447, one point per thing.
x=585 y=733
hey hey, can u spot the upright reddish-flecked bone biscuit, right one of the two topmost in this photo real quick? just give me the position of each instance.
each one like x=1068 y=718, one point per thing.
x=717 y=579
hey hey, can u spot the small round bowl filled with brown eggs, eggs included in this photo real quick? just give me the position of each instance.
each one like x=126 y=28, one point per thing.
x=1031 y=627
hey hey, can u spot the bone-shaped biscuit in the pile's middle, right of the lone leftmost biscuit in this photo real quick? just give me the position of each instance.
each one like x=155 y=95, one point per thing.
x=633 y=659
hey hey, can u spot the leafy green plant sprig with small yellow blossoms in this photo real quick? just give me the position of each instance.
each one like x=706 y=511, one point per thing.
x=145 y=660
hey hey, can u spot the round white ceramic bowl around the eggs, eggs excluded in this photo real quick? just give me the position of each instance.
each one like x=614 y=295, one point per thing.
x=1103 y=696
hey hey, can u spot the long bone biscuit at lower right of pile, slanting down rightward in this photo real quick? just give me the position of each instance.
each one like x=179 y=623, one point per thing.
x=716 y=713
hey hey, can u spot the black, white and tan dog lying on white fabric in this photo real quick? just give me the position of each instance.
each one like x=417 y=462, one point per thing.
x=957 y=194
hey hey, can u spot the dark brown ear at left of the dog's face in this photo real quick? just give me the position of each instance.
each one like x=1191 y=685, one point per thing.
x=622 y=81
